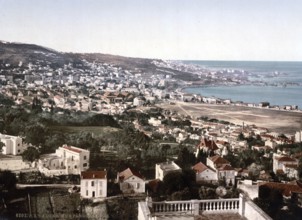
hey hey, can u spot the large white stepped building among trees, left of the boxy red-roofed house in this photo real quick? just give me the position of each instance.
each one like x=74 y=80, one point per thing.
x=66 y=160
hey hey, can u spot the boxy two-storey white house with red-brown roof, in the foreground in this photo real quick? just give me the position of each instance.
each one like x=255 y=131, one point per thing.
x=93 y=184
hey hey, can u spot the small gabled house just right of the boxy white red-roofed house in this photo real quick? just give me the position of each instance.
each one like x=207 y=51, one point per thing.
x=131 y=181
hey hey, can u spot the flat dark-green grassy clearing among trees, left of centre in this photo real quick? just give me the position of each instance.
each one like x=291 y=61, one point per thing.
x=96 y=130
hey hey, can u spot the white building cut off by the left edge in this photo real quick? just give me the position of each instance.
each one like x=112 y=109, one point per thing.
x=12 y=144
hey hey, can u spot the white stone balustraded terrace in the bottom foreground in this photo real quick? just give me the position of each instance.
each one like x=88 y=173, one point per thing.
x=239 y=208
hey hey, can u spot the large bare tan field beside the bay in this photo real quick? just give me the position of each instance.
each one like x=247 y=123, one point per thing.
x=286 y=122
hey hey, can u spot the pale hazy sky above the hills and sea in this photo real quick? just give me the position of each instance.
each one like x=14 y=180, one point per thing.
x=167 y=29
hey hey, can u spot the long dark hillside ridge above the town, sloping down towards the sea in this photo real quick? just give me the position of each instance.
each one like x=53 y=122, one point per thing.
x=20 y=55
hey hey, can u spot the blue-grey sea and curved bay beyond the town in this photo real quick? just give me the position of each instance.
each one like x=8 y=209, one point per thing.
x=282 y=82
